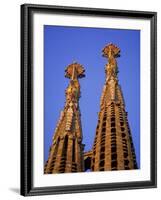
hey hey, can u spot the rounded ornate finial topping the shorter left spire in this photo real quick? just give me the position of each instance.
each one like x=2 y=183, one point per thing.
x=74 y=71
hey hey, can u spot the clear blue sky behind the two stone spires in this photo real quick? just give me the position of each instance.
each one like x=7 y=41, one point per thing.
x=62 y=46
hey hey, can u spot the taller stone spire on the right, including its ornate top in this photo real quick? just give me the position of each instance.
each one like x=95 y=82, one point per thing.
x=113 y=147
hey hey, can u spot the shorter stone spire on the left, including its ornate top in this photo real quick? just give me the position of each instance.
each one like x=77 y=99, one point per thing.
x=66 y=151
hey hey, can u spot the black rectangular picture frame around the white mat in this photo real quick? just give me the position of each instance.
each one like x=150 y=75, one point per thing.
x=27 y=11
